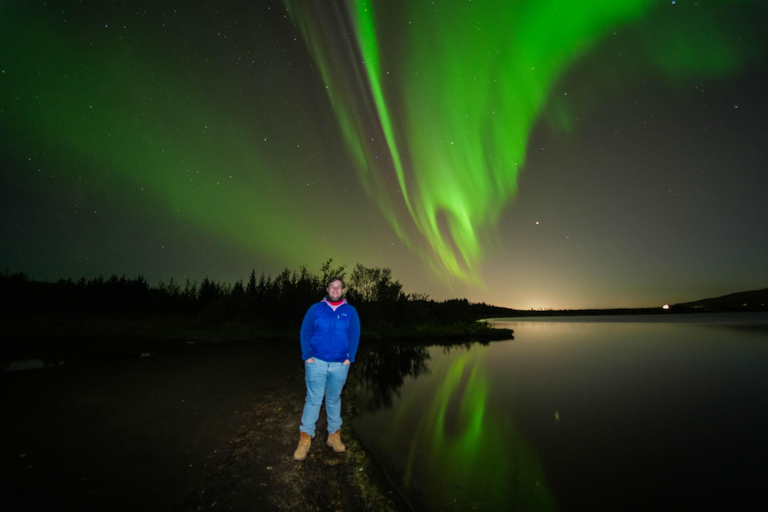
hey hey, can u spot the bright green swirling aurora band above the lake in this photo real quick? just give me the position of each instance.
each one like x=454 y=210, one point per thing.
x=437 y=100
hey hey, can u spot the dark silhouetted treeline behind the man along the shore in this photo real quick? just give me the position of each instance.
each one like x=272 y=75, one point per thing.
x=279 y=300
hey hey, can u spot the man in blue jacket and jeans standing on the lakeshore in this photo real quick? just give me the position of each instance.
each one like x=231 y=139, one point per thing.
x=330 y=335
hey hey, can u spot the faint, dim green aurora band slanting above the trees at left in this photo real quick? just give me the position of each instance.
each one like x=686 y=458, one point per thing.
x=134 y=128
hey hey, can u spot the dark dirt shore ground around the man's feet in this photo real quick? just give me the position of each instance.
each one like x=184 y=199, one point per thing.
x=205 y=429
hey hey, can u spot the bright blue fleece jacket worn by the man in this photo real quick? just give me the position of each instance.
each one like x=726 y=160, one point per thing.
x=330 y=335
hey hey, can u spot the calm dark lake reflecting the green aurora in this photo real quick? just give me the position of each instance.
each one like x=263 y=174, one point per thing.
x=661 y=412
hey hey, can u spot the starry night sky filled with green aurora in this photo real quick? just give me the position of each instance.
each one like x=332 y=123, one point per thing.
x=523 y=153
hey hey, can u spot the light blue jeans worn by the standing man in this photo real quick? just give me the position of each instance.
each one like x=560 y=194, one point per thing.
x=323 y=379
